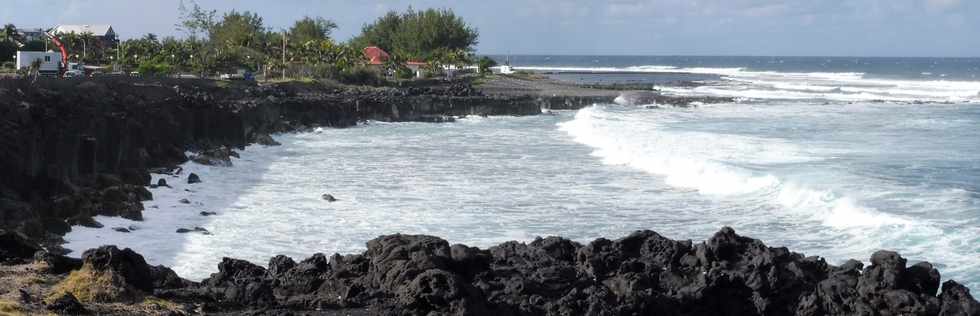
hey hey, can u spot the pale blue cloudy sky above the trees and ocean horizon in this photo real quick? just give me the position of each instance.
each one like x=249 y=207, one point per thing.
x=936 y=28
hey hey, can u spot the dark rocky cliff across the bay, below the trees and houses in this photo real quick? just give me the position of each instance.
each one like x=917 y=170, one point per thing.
x=70 y=150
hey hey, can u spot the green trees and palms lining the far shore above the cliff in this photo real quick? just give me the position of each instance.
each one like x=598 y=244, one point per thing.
x=215 y=43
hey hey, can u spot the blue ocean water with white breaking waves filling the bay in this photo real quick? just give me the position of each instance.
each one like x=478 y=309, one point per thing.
x=832 y=157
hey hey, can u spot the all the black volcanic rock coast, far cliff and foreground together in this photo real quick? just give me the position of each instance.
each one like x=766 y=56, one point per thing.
x=71 y=150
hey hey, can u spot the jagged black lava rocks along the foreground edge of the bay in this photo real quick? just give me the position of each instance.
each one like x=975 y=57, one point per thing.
x=641 y=274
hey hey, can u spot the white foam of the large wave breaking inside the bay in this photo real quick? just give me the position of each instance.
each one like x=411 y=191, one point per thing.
x=703 y=162
